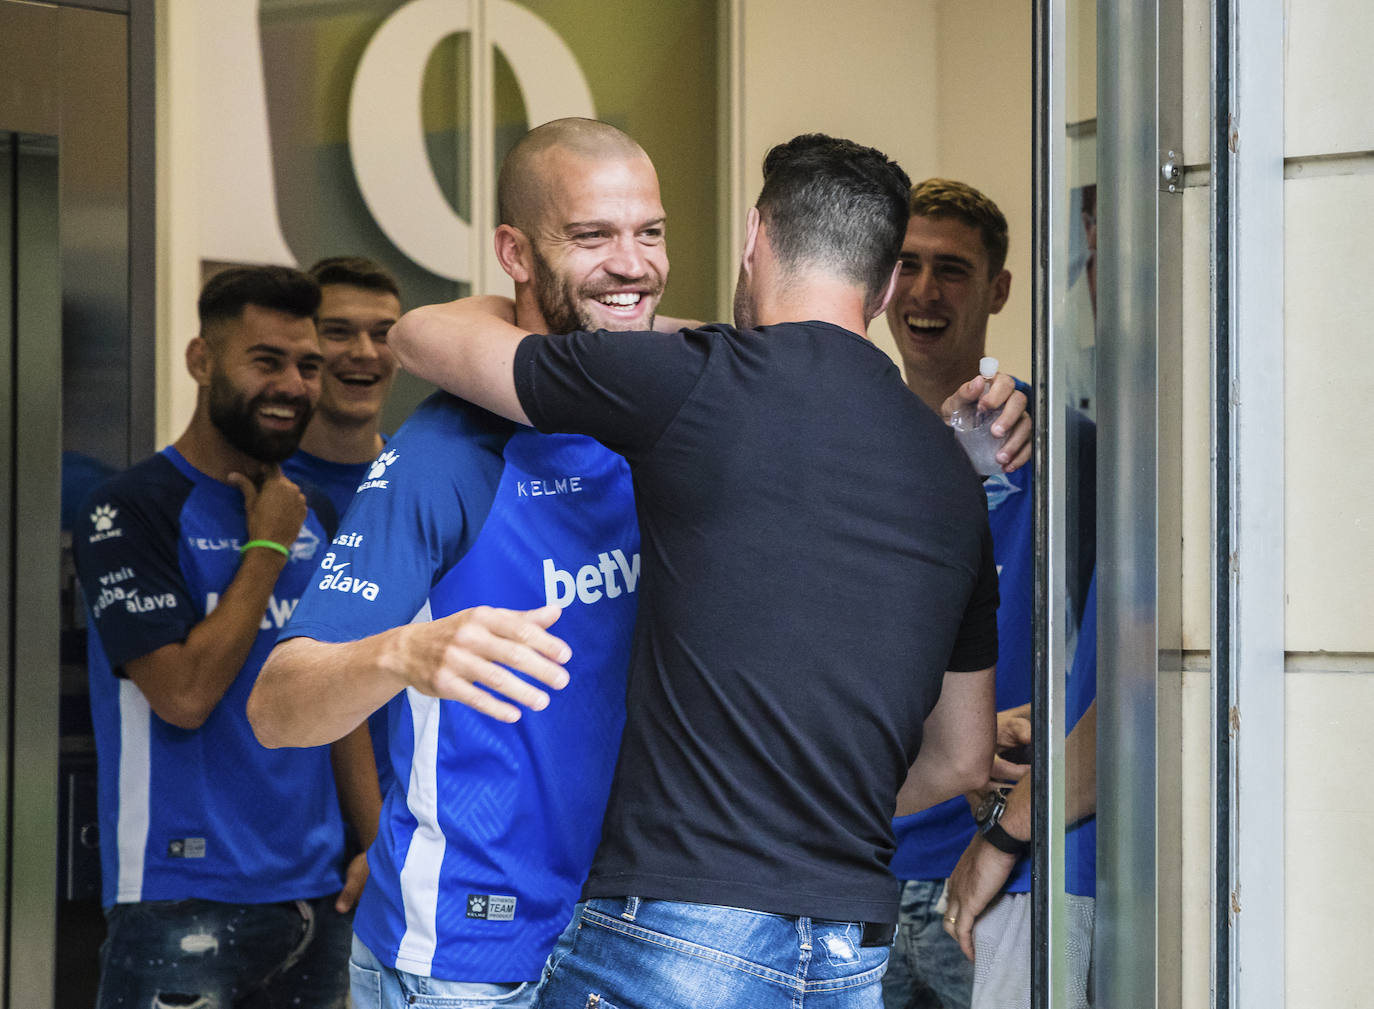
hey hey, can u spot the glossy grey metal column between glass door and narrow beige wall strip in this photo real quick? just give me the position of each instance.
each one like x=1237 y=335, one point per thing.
x=1140 y=228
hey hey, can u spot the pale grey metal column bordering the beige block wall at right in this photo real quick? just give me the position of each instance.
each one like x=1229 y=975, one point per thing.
x=1248 y=505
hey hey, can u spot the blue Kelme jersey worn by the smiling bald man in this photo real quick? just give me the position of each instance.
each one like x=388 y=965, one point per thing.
x=490 y=828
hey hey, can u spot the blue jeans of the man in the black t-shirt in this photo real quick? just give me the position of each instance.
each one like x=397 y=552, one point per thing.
x=662 y=955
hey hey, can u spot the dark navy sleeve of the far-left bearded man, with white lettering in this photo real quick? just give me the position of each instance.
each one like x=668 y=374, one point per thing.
x=128 y=564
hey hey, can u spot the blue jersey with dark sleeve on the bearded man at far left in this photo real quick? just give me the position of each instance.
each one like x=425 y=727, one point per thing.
x=205 y=813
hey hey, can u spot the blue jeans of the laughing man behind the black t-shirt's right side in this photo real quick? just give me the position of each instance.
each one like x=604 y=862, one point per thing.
x=928 y=970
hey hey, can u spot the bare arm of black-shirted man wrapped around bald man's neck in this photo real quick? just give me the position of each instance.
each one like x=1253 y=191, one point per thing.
x=465 y=347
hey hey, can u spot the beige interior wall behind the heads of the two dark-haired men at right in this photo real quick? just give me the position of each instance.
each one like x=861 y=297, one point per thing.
x=942 y=86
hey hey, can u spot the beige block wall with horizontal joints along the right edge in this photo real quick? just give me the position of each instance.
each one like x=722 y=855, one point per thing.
x=1329 y=544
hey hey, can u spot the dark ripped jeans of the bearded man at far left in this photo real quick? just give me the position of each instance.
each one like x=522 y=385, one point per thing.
x=205 y=955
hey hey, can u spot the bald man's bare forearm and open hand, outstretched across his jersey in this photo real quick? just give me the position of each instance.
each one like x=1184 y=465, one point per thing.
x=313 y=692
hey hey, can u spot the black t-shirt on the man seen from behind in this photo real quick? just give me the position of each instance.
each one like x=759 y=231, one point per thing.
x=815 y=556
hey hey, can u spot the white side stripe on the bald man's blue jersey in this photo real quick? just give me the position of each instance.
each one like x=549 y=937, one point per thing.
x=425 y=857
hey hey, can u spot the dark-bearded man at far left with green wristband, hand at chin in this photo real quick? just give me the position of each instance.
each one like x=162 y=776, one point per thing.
x=221 y=860
